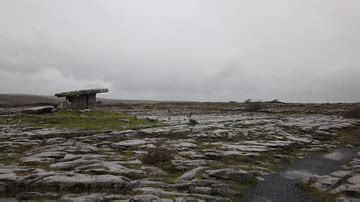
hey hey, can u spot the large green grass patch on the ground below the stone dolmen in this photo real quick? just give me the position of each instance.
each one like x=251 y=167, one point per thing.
x=89 y=121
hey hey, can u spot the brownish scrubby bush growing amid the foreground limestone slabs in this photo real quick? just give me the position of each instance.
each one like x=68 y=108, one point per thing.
x=158 y=155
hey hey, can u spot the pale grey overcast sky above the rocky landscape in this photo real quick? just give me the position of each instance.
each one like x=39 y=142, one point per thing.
x=204 y=50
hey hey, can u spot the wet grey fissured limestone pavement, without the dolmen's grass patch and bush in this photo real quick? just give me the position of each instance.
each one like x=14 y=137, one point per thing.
x=219 y=159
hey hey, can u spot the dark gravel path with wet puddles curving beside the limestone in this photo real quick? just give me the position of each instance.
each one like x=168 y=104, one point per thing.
x=281 y=186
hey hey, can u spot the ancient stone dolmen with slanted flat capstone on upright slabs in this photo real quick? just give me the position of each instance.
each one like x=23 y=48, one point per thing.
x=82 y=99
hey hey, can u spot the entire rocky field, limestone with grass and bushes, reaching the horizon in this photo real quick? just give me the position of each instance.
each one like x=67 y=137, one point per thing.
x=176 y=152
